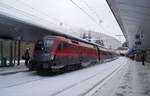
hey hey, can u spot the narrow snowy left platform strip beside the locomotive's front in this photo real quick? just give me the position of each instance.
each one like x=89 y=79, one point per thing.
x=15 y=68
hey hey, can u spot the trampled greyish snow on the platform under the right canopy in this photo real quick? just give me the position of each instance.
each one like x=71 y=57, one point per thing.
x=136 y=81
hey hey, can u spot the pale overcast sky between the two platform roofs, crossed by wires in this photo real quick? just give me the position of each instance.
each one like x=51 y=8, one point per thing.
x=90 y=15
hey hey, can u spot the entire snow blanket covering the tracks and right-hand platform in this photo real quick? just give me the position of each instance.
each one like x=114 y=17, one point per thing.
x=120 y=77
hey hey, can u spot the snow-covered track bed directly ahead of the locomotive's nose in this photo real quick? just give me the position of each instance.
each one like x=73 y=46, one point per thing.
x=18 y=79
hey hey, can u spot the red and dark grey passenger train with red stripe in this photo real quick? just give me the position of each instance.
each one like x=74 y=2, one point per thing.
x=56 y=53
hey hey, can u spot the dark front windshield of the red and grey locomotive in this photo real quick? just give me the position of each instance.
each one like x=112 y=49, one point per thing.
x=44 y=46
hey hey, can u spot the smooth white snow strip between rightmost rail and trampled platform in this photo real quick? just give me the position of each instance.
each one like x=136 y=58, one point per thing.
x=107 y=88
